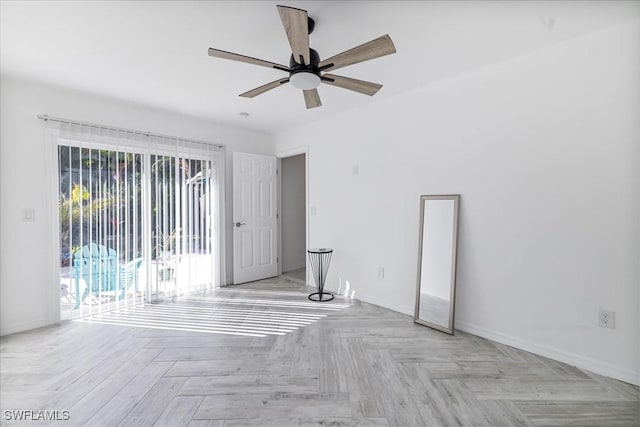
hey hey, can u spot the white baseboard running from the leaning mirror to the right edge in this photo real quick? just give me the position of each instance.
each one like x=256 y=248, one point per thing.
x=573 y=359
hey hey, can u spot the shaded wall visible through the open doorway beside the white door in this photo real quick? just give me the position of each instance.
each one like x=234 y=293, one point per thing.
x=294 y=226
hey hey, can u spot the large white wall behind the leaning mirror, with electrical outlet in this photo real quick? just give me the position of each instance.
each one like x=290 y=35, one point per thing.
x=545 y=152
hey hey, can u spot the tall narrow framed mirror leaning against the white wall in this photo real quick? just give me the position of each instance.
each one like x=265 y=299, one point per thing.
x=435 y=295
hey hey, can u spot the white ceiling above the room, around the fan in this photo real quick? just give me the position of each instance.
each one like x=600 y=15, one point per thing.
x=155 y=53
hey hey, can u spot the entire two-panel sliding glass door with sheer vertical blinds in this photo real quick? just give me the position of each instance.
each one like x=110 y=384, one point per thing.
x=136 y=225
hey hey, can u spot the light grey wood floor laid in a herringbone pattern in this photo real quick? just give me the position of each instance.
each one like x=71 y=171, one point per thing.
x=261 y=354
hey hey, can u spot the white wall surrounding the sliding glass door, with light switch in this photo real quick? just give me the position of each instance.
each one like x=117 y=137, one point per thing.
x=26 y=251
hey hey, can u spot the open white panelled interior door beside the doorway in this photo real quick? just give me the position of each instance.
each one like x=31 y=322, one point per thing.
x=255 y=221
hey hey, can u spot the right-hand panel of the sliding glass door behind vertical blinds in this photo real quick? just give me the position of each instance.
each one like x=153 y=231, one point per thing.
x=181 y=225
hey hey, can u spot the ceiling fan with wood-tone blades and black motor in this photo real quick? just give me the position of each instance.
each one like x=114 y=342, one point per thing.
x=305 y=67
